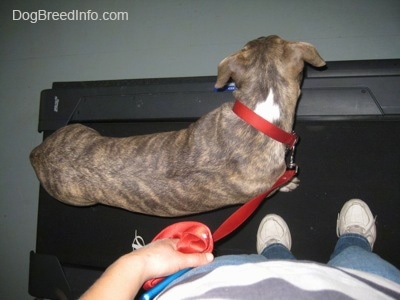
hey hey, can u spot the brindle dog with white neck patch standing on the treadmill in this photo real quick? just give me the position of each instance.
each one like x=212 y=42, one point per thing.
x=217 y=161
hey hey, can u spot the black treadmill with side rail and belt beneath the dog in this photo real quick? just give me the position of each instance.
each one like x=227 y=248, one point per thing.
x=348 y=121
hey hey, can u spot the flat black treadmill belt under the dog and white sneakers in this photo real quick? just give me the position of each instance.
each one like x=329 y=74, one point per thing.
x=338 y=160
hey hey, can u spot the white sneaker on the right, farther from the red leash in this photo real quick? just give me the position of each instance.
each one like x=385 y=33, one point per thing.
x=356 y=217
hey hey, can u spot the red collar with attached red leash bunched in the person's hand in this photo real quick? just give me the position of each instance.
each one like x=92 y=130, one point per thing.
x=195 y=237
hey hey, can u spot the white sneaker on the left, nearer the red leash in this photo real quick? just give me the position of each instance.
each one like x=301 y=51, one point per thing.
x=273 y=229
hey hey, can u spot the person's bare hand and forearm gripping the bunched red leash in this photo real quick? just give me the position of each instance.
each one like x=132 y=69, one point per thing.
x=123 y=279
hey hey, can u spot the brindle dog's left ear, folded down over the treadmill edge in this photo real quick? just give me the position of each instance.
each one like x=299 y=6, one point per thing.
x=228 y=68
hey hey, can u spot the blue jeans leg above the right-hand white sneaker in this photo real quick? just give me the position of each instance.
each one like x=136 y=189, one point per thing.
x=354 y=252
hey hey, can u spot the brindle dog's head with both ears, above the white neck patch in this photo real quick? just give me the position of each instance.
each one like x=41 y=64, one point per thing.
x=268 y=63
